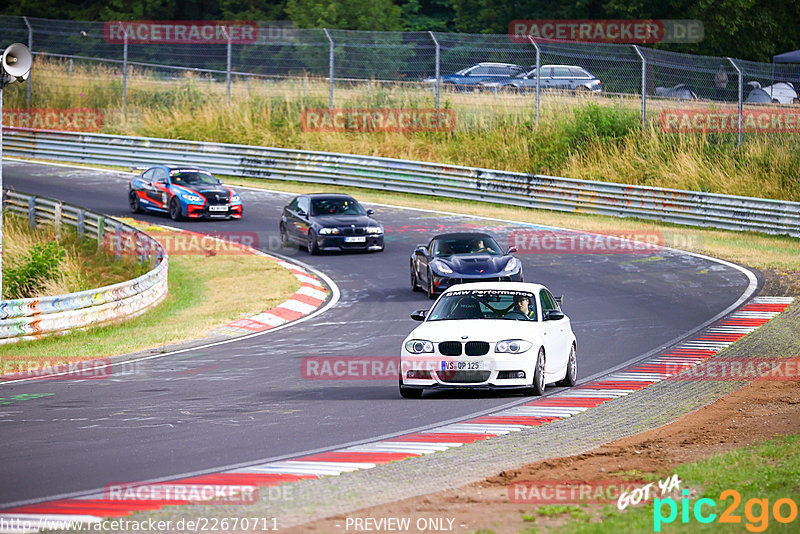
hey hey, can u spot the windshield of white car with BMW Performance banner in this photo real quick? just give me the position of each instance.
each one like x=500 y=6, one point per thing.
x=485 y=304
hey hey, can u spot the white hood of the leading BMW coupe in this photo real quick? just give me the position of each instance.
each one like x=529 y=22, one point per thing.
x=490 y=330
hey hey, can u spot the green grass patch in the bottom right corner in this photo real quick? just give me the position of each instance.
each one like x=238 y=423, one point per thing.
x=770 y=470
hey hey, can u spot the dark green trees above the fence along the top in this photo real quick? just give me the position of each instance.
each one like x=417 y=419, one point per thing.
x=745 y=29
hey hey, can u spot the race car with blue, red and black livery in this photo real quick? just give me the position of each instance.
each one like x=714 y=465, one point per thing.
x=183 y=191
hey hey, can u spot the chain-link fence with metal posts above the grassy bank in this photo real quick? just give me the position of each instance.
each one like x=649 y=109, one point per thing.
x=313 y=62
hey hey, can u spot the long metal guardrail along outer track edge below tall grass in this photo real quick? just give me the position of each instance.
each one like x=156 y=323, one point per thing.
x=511 y=188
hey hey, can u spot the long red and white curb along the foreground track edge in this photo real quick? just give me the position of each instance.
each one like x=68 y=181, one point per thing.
x=93 y=508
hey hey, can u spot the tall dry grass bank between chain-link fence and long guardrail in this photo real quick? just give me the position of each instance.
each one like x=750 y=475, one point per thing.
x=579 y=136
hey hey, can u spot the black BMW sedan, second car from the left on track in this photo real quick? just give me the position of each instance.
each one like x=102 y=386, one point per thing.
x=324 y=221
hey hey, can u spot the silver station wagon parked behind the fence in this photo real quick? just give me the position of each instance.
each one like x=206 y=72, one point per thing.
x=560 y=77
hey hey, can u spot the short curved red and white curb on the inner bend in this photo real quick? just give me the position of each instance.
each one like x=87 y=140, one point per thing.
x=308 y=299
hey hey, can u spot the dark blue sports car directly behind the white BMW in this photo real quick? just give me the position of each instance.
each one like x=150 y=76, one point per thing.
x=451 y=259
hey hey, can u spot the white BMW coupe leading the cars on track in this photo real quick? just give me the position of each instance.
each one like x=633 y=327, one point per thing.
x=490 y=335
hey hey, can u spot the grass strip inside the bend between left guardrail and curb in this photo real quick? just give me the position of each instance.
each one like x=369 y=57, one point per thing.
x=194 y=306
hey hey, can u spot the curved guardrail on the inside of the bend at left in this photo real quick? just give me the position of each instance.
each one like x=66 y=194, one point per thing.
x=35 y=317
